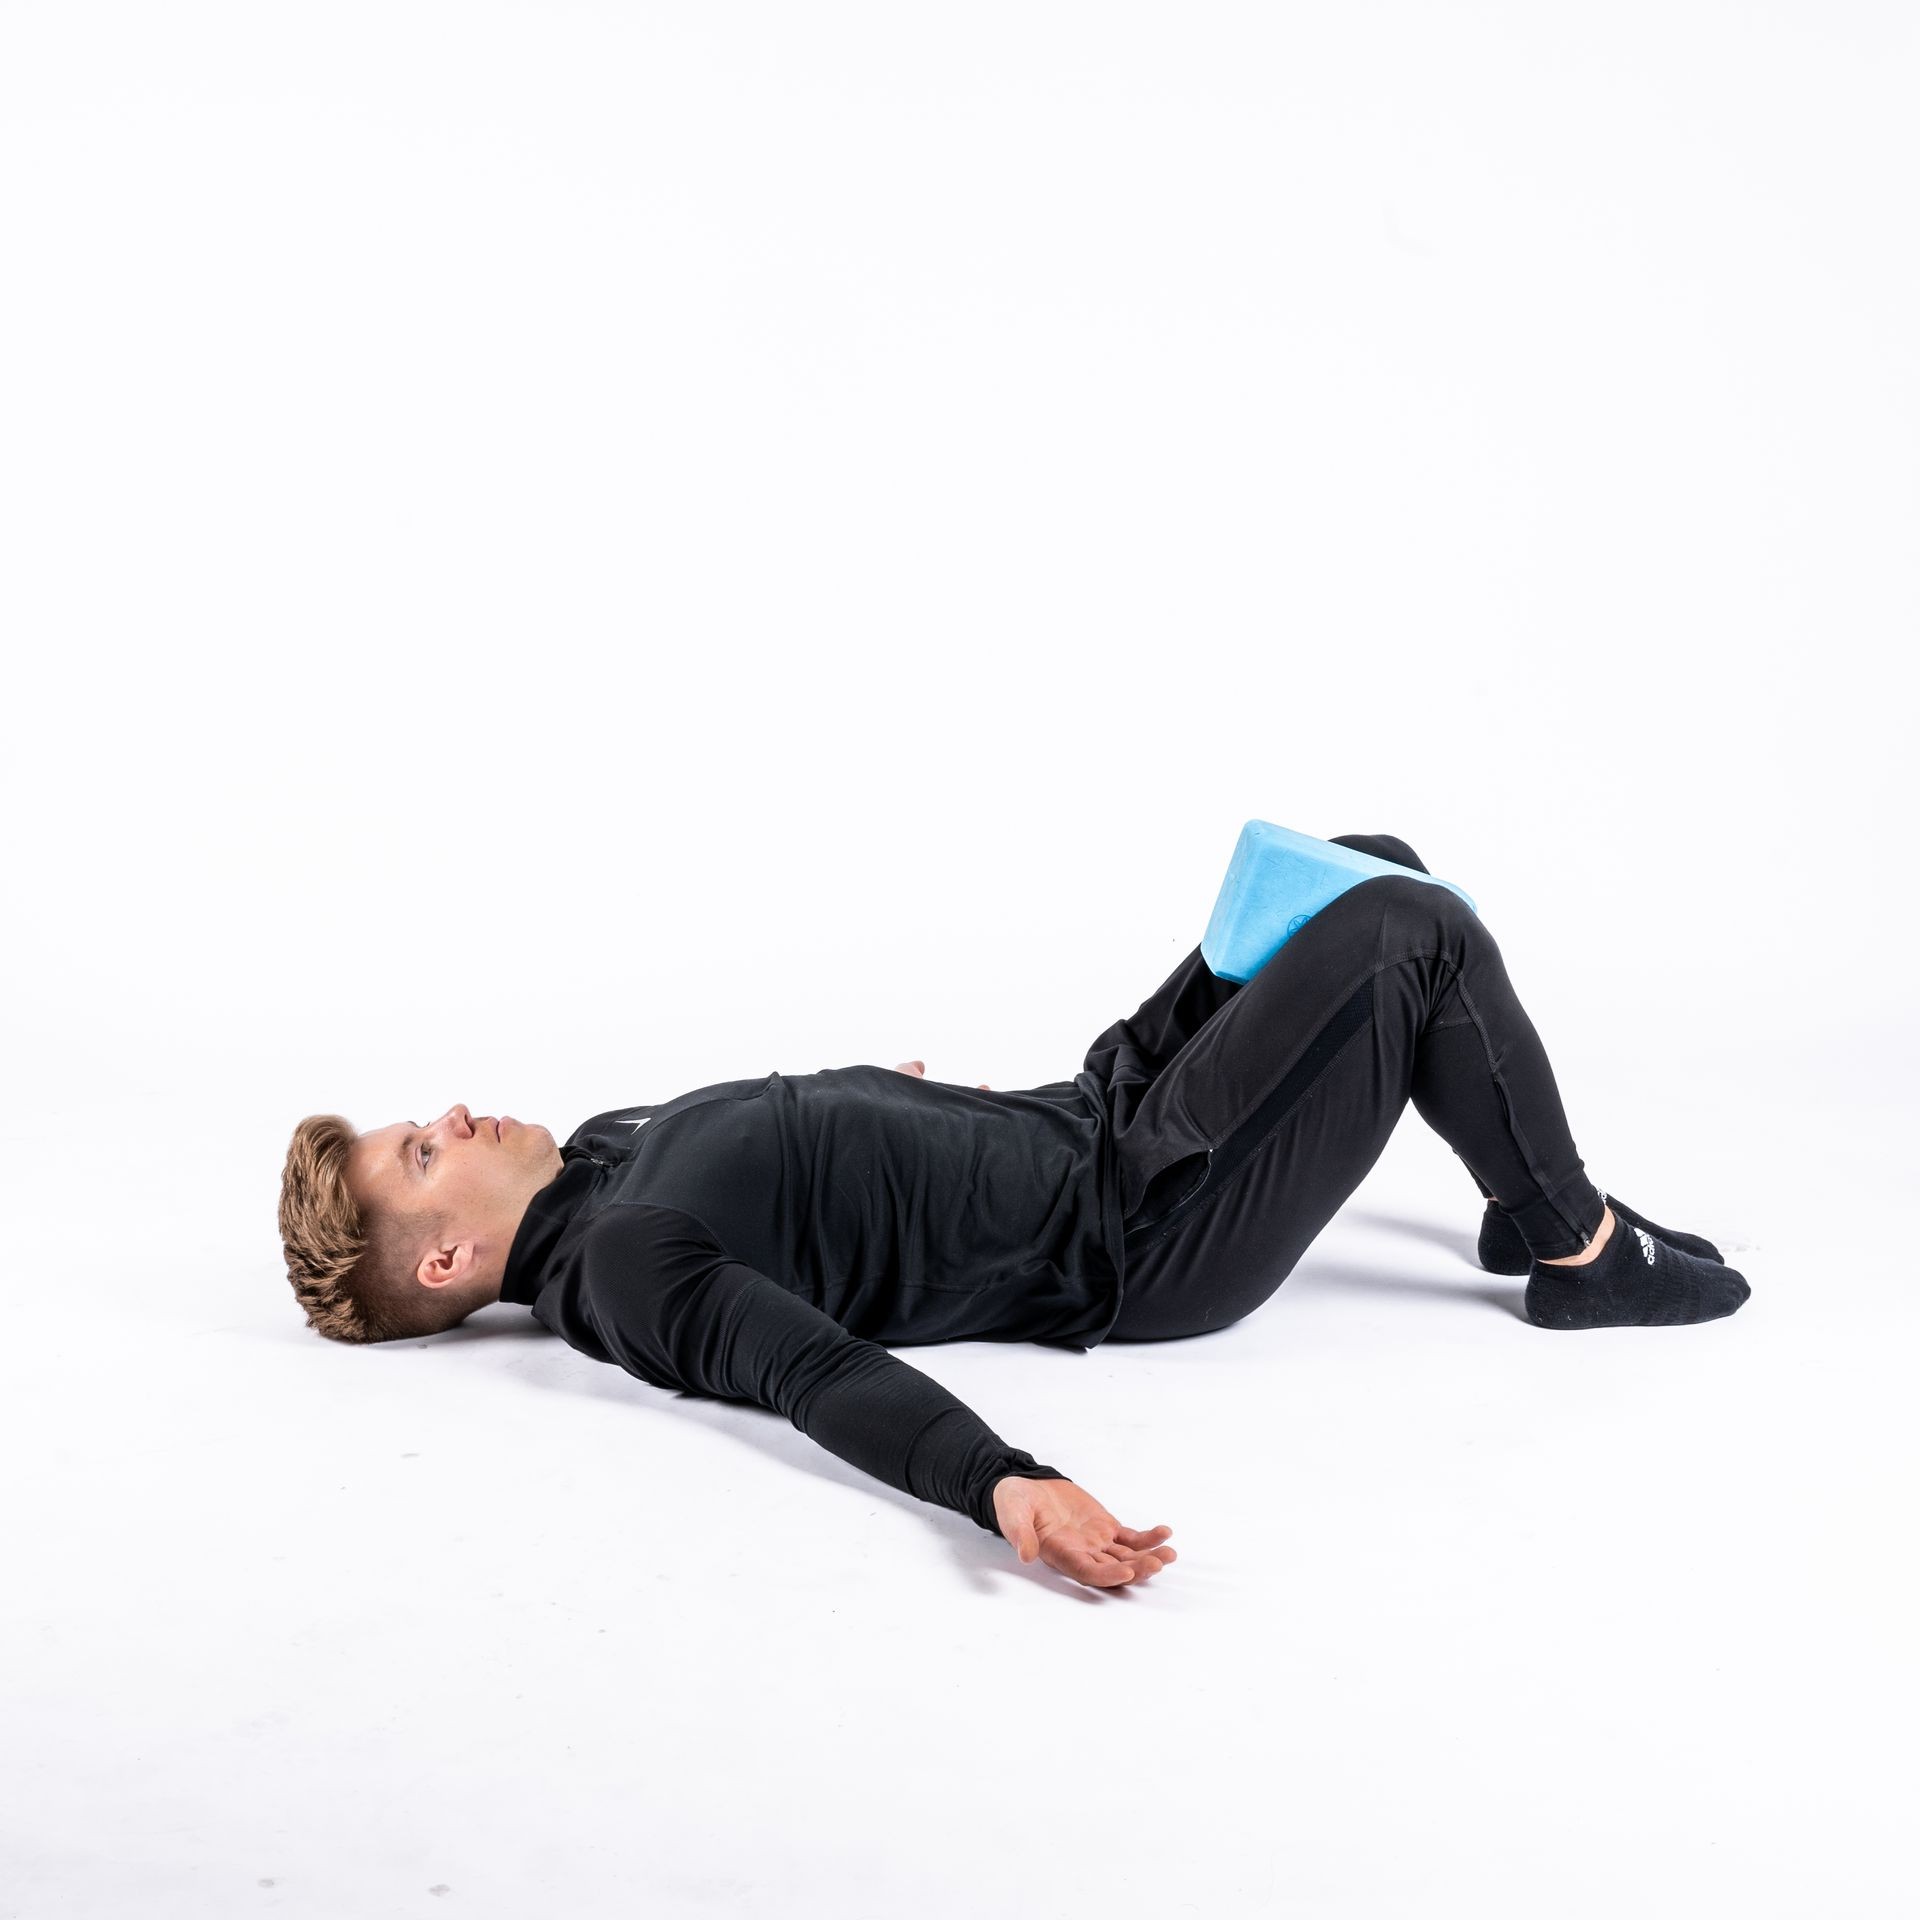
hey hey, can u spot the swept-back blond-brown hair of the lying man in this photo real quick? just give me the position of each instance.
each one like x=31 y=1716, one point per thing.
x=352 y=1270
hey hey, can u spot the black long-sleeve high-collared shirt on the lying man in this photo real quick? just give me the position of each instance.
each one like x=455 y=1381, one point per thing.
x=761 y=1241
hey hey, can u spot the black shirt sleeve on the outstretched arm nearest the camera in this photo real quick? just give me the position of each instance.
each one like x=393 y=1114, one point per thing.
x=673 y=1308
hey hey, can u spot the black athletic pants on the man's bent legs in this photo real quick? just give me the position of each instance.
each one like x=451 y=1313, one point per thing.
x=1247 y=1115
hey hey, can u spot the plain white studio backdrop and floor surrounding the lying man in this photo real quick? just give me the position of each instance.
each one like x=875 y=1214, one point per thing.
x=560 y=554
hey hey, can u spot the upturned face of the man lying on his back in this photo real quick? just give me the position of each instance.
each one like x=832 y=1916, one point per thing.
x=473 y=1174
